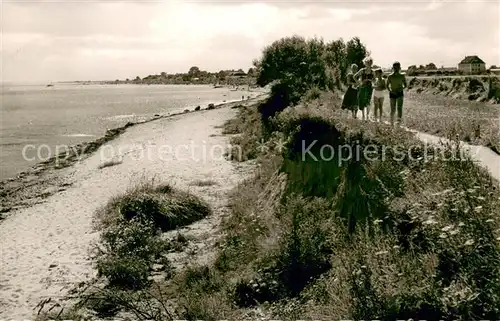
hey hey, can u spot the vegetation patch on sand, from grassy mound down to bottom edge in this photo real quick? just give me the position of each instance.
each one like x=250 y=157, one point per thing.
x=132 y=247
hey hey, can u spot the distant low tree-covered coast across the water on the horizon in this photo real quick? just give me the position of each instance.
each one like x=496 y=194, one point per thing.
x=196 y=76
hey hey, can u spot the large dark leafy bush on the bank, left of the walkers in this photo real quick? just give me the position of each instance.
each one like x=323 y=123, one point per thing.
x=297 y=67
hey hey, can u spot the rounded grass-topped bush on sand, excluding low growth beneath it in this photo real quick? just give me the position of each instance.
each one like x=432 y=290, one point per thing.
x=131 y=243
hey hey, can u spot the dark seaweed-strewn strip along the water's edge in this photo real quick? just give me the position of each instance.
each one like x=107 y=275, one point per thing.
x=39 y=181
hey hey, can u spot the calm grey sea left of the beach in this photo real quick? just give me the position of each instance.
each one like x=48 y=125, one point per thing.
x=67 y=114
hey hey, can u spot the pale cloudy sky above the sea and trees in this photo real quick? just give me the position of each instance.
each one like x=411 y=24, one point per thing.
x=107 y=40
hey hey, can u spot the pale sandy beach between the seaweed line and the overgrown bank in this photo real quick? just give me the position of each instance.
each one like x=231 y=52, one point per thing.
x=45 y=247
